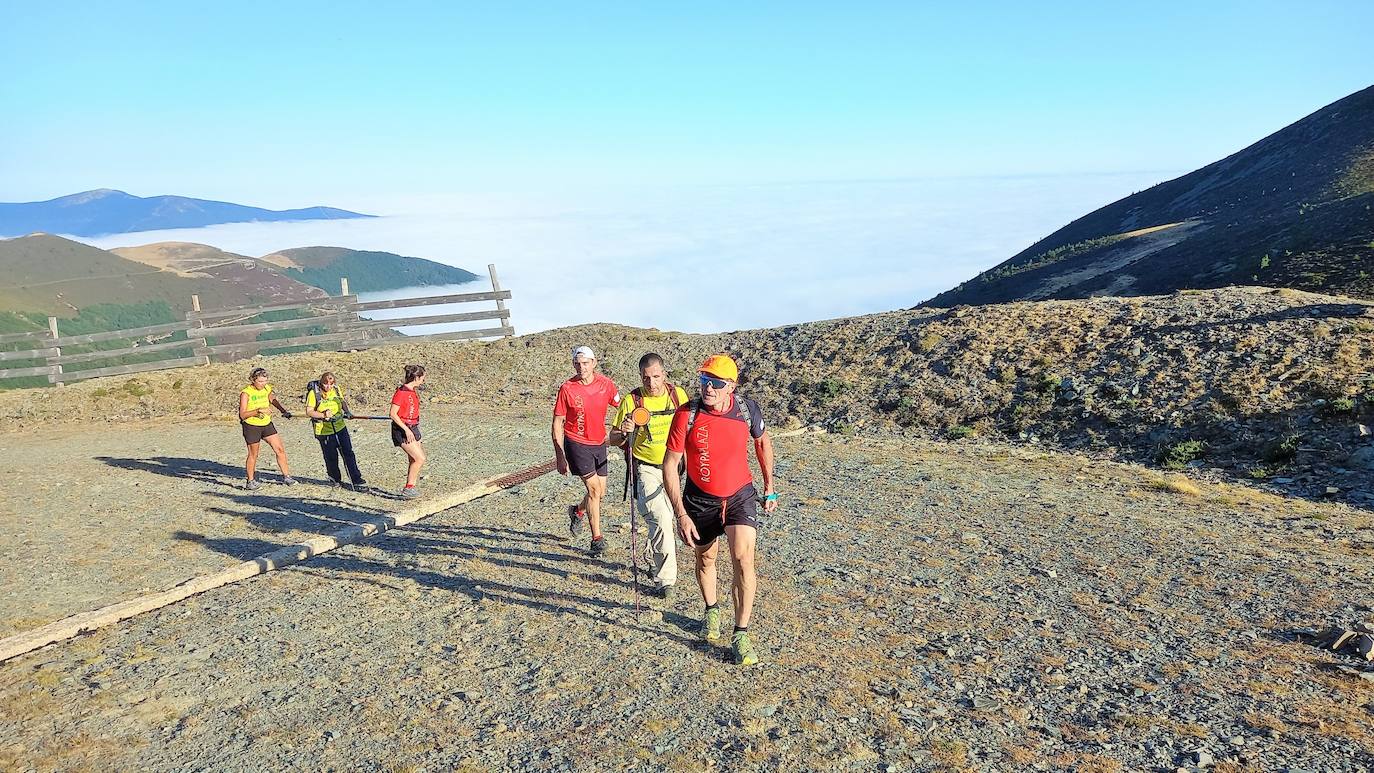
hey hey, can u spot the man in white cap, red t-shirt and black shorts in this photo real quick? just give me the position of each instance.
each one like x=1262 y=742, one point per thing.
x=581 y=439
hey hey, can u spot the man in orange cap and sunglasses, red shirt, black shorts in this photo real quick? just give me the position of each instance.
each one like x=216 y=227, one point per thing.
x=714 y=435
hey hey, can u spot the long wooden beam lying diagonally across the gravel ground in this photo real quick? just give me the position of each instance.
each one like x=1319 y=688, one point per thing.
x=75 y=625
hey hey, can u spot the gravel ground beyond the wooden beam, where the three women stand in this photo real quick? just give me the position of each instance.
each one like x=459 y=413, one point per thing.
x=135 y=507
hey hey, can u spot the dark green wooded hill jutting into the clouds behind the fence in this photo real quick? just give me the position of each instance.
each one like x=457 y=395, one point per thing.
x=366 y=270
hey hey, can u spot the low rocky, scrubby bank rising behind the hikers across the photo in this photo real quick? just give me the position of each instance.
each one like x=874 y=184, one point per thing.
x=1252 y=384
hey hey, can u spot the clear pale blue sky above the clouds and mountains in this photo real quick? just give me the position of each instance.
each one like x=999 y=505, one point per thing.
x=366 y=104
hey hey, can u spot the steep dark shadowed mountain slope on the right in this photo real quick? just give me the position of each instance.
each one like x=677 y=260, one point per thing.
x=1295 y=209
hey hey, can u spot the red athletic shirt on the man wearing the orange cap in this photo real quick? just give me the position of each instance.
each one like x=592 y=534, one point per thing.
x=718 y=451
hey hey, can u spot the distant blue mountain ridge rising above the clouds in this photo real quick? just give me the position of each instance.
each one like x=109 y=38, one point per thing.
x=97 y=214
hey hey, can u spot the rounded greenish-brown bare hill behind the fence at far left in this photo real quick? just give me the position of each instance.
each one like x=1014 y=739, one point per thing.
x=60 y=277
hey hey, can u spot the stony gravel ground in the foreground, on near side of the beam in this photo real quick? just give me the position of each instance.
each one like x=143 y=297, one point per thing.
x=923 y=606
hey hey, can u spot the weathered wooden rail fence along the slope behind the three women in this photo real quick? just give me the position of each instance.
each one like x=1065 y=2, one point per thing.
x=230 y=334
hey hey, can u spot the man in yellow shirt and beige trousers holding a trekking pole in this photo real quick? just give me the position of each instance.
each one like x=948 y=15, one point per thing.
x=662 y=400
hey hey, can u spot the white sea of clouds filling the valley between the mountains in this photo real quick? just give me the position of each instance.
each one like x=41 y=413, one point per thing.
x=706 y=259
